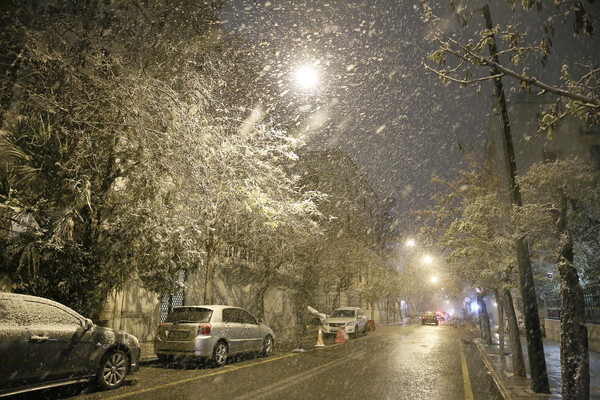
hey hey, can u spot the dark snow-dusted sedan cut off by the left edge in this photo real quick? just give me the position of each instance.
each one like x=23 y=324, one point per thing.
x=45 y=344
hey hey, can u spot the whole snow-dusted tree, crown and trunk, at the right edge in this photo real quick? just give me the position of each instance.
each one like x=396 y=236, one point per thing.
x=563 y=202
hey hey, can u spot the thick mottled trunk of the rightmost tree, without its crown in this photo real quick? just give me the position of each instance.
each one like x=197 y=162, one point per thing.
x=574 y=353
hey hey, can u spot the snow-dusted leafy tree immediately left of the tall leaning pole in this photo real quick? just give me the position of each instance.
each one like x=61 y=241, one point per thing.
x=472 y=222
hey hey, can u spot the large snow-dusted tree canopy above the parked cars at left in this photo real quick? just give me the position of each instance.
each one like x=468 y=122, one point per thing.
x=126 y=158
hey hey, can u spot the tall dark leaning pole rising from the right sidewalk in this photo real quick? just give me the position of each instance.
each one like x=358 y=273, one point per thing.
x=535 y=346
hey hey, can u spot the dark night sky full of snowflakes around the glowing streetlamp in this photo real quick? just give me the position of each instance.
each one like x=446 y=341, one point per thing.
x=375 y=100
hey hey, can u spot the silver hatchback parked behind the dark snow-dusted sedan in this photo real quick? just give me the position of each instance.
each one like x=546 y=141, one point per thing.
x=212 y=332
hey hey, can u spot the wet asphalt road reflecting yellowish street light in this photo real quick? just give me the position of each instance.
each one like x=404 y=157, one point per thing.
x=396 y=362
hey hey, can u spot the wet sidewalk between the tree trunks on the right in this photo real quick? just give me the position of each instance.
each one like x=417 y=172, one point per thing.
x=515 y=388
